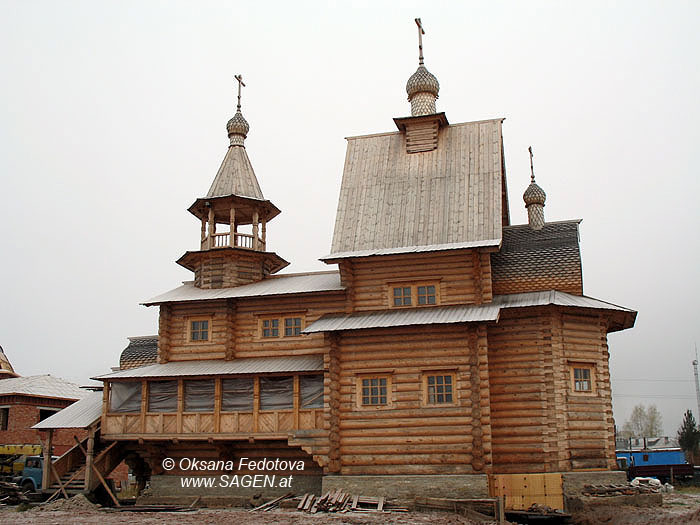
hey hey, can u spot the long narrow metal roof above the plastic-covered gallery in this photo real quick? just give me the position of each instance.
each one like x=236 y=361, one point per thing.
x=249 y=365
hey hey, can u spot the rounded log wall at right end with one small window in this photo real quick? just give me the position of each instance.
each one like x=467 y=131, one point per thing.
x=538 y=422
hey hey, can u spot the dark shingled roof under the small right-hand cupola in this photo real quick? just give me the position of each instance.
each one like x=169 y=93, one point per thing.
x=532 y=260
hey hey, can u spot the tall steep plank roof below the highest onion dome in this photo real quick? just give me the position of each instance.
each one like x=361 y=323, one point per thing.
x=392 y=199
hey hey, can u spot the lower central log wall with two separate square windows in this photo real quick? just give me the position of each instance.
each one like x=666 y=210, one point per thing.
x=408 y=436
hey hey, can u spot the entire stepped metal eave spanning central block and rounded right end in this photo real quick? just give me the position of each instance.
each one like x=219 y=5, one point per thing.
x=461 y=314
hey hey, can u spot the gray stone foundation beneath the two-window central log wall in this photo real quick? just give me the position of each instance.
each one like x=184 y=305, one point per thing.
x=407 y=488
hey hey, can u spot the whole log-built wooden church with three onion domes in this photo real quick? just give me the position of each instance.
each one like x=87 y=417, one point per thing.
x=444 y=346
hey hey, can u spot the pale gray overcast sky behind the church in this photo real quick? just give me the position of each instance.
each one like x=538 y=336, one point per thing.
x=113 y=122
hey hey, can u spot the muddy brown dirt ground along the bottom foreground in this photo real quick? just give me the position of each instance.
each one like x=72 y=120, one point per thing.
x=680 y=508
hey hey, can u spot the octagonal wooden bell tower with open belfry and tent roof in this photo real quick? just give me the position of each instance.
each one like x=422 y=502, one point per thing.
x=234 y=217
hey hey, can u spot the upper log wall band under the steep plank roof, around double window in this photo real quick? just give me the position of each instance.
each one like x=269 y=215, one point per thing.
x=462 y=277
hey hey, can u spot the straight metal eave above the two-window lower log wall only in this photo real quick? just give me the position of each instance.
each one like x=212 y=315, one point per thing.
x=388 y=318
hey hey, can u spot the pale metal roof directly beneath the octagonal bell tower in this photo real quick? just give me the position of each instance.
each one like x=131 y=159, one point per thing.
x=276 y=285
